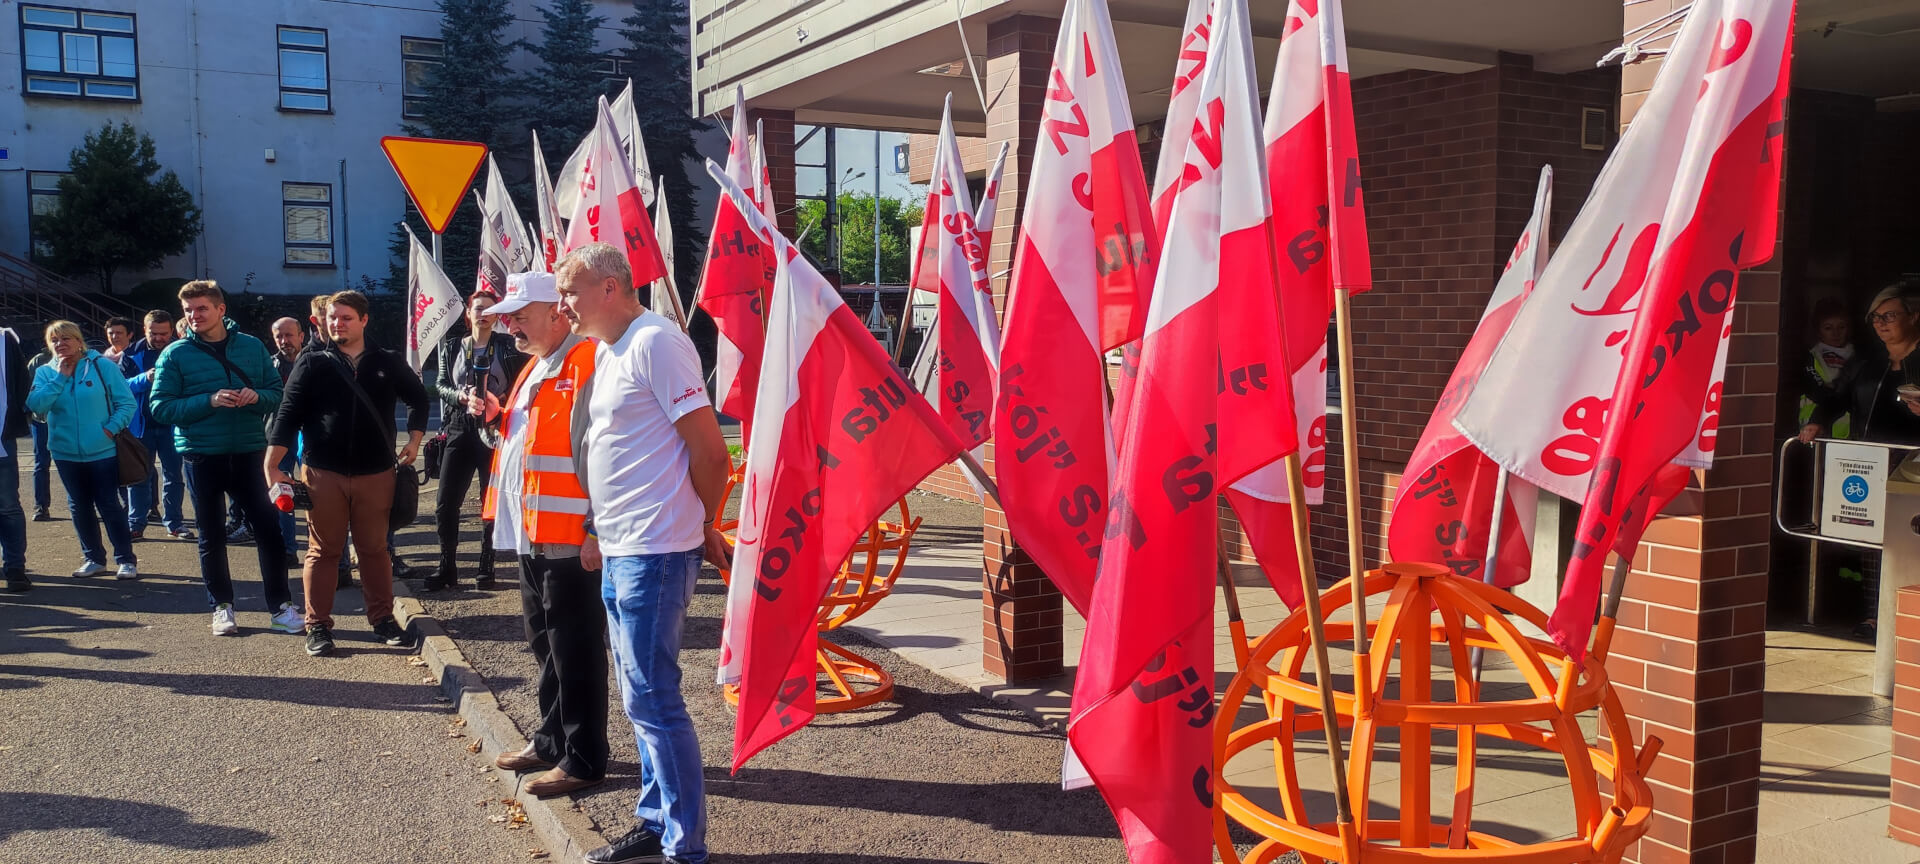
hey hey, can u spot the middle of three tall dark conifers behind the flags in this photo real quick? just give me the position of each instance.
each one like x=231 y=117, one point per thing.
x=569 y=80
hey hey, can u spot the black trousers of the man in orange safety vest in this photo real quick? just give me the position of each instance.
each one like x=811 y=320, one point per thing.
x=567 y=631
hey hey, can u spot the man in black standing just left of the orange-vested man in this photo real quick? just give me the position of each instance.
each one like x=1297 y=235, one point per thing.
x=471 y=366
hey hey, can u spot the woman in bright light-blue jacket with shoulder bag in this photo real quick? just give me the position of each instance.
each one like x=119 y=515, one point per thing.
x=87 y=402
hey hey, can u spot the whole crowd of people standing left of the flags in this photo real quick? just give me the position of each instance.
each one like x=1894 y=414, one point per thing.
x=581 y=414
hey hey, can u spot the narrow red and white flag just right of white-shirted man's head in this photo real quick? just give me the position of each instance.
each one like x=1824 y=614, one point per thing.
x=734 y=283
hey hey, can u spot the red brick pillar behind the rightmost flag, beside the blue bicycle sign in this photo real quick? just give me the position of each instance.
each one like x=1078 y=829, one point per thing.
x=1691 y=652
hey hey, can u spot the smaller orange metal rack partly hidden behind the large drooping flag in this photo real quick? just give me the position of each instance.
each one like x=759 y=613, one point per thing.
x=863 y=581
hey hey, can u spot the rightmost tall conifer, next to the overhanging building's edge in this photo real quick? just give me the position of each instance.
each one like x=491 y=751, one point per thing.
x=656 y=41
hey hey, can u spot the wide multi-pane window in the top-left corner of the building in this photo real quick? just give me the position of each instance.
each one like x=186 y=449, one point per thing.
x=80 y=55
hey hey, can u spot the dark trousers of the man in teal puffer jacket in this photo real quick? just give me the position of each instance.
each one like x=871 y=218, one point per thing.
x=212 y=479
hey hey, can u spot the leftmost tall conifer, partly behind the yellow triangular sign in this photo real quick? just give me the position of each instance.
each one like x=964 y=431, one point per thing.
x=469 y=97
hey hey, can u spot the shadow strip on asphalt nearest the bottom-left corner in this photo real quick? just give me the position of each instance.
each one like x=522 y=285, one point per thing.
x=155 y=825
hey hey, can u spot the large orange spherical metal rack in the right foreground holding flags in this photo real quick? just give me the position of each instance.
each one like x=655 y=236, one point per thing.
x=1428 y=610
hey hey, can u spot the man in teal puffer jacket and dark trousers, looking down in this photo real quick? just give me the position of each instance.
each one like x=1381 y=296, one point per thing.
x=218 y=387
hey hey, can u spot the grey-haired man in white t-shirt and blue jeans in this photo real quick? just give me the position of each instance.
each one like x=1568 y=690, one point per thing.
x=656 y=473
